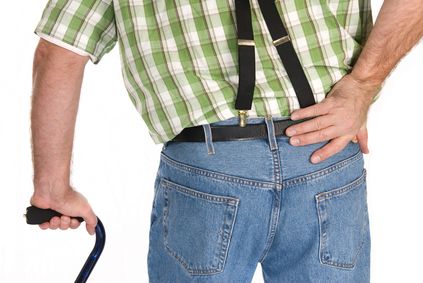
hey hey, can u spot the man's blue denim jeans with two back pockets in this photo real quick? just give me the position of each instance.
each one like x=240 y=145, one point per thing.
x=220 y=208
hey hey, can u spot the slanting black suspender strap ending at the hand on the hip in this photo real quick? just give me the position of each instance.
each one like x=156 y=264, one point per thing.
x=286 y=51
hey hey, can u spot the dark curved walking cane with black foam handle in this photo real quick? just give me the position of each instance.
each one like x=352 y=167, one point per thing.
x=35 y=216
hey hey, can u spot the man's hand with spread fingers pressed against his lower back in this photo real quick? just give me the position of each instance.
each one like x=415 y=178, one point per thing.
x=340 y=118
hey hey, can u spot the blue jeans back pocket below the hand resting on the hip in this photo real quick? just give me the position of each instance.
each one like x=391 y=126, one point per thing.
x=343 y=223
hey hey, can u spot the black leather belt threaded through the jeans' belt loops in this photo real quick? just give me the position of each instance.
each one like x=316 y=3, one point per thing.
x=234 y=132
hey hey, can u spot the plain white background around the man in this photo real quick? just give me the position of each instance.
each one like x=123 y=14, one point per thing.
x=115 y=162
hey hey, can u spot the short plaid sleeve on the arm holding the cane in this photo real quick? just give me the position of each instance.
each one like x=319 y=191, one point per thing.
x=86 y=27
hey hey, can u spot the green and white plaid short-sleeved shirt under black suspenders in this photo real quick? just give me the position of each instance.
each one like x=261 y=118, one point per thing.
x=180 y=63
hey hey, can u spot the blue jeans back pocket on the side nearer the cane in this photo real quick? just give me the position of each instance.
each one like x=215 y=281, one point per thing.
x=197 y=227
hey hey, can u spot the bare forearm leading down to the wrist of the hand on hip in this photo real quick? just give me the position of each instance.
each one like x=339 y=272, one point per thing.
x=398 y=27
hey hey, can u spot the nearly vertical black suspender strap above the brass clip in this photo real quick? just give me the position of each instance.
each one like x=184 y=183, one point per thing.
x=246 y=56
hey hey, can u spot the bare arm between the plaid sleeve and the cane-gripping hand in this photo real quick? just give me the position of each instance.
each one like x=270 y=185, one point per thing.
x=57 y=79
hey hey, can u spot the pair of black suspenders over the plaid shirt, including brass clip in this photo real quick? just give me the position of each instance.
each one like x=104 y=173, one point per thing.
x=286 y=51
